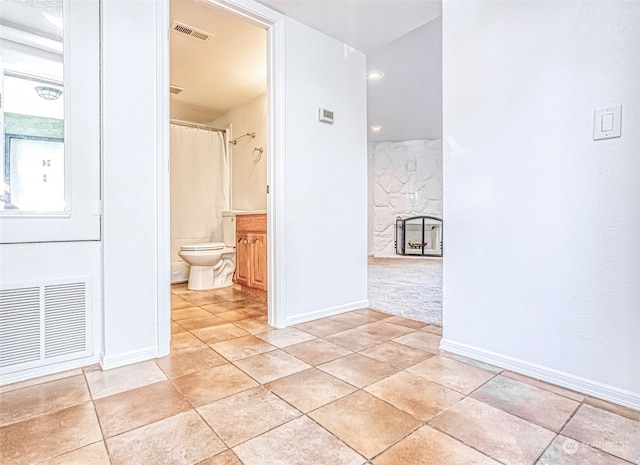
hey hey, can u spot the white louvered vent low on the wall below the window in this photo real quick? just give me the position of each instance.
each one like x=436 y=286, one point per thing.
x=44 y=323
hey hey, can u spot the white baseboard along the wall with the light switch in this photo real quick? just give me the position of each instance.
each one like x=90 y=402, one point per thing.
x=550 y=375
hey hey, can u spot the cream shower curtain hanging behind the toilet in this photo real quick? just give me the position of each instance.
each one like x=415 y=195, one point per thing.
x=199 y=190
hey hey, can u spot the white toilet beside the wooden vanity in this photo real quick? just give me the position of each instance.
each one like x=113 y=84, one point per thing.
x=212 y=263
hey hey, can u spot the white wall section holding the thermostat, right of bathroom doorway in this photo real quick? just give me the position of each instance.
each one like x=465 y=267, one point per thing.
x=325 y=176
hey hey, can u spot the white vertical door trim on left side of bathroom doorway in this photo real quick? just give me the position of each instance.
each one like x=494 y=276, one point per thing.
x=163 y=238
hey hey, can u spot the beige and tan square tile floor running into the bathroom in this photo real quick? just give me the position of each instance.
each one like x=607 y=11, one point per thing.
x=358 y=388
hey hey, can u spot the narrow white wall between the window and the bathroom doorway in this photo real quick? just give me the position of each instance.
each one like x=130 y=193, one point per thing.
x=133 y=259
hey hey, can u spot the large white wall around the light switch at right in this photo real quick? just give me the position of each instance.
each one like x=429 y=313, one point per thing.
x=543 y=250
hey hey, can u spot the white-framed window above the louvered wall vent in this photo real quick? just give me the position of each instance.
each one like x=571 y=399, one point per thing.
x=50 y=152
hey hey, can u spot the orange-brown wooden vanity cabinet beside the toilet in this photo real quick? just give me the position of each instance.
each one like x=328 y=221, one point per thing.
x=251 y=251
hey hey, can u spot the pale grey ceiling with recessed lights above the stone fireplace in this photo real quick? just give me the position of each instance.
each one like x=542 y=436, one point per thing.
x=401 y=38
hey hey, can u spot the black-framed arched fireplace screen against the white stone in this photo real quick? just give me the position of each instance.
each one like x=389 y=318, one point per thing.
x=419 y=235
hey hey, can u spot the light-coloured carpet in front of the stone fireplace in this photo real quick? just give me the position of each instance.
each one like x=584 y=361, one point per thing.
x=408 y=287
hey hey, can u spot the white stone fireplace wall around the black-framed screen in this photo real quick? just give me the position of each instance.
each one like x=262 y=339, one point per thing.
x=407 y=178
